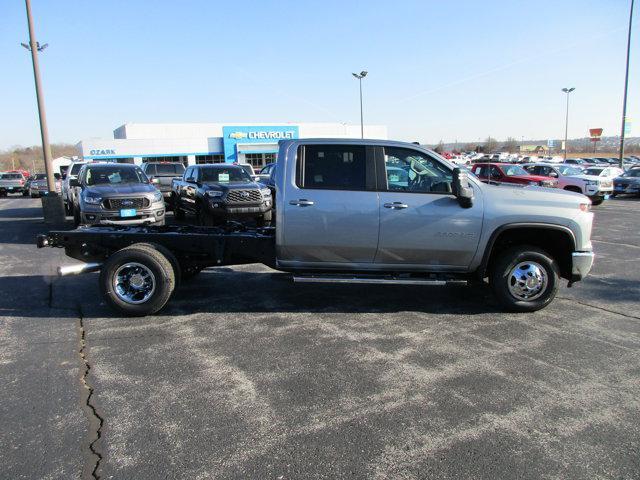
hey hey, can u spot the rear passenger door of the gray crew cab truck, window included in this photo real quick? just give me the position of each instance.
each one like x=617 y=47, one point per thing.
x=330 y=207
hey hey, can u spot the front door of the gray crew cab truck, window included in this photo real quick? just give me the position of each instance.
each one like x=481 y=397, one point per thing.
x=422 y=225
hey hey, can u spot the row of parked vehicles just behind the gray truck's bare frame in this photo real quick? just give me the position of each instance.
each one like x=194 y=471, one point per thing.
x=126 y=194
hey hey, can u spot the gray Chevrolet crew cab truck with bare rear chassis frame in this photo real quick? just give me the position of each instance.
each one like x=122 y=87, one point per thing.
x=361 y=211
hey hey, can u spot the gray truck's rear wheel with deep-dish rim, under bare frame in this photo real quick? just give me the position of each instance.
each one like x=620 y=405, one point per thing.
x=137 y=280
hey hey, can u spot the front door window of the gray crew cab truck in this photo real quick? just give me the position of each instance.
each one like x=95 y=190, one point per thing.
x=412 y=171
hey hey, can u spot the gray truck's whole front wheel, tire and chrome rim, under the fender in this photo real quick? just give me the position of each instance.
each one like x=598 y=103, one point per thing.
x=525 y=279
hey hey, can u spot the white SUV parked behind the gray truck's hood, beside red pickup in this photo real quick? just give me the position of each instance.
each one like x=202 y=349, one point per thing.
x=572 y=178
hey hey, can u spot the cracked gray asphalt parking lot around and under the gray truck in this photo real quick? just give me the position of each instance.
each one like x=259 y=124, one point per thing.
x=245 y=375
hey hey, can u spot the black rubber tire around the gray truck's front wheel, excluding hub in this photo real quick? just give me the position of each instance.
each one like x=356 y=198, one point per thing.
x=500 y=278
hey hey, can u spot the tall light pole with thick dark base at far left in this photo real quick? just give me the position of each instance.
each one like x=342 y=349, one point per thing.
x=51 y=203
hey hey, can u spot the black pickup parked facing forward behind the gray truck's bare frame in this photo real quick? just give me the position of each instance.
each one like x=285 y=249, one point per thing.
x=220 y=192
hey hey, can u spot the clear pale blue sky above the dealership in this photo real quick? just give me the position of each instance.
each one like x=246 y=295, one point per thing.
x=437 y=70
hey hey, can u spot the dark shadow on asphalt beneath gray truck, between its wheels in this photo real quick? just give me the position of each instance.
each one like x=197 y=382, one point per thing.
x=242 y=292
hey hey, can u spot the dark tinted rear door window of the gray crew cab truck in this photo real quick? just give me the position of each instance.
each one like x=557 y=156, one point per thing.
x=332 y=167
